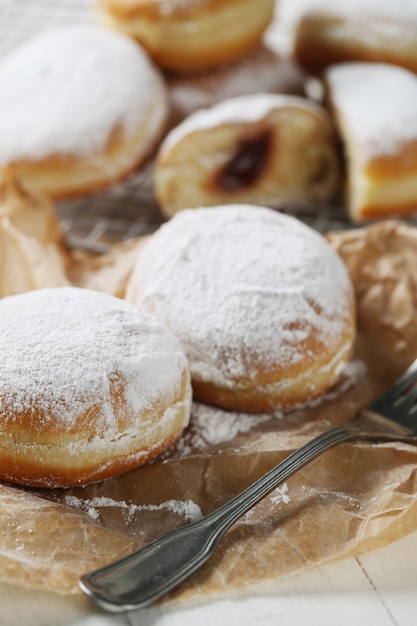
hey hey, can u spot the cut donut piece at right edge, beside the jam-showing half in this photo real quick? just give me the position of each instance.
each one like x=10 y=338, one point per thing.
x=373 y=105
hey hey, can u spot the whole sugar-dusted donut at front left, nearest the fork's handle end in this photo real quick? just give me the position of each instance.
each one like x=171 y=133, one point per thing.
x=90 y=387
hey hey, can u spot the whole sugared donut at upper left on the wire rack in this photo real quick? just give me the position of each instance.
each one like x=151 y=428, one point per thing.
x=81 y=108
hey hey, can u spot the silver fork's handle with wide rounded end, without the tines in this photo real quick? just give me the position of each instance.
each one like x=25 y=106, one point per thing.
x=140 y=578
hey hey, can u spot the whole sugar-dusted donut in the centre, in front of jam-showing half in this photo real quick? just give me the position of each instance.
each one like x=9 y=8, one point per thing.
x=261 y=304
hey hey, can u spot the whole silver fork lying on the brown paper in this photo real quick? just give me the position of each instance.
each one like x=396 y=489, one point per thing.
x=142 y=577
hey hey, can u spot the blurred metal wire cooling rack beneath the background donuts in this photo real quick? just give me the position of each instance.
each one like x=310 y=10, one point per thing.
x=128 y=209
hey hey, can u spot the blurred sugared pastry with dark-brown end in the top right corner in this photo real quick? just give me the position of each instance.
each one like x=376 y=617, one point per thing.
x=358 y=30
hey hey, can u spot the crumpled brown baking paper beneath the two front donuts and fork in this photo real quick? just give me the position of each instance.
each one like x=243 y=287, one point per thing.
x=354 y=498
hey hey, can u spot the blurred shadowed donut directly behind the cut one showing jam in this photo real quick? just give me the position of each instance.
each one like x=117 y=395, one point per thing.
x=262 y=70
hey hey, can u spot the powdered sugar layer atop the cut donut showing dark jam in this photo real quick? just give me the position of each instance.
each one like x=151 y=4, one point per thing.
x=242 y=109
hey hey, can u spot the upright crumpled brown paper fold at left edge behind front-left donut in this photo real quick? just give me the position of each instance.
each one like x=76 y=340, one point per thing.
x=33 y=252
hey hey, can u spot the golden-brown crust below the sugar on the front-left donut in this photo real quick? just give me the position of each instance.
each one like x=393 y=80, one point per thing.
x=45 y=459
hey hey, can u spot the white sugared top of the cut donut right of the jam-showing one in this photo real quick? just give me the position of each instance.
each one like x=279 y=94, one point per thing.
x=376 y=103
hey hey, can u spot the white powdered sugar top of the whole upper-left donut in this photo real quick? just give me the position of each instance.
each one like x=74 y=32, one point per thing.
x=63 y=92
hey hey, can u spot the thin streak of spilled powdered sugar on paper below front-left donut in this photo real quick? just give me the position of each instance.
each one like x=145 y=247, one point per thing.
x=187 y=509
